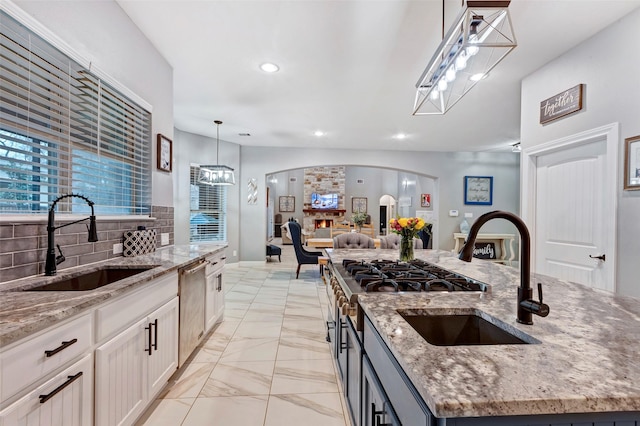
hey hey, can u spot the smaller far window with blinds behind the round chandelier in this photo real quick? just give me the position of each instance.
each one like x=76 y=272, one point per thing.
x=208 y=218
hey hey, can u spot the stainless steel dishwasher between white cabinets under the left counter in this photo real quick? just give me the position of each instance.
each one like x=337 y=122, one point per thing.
x=192 y=297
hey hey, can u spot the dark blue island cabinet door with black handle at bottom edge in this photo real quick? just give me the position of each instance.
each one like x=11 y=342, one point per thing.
x=376 y=410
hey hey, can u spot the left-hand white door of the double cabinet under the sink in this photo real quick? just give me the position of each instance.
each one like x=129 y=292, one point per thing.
x=121 y=376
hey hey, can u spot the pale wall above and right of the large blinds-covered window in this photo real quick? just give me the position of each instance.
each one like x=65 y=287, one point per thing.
x=103 y=34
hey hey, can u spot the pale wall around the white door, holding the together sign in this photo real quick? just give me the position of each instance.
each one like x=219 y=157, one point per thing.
x=609 y=65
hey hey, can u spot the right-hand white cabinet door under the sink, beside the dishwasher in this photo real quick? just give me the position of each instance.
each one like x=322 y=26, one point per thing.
x=163 y=357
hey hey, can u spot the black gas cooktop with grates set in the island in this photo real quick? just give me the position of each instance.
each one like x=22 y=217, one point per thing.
x=394 y=276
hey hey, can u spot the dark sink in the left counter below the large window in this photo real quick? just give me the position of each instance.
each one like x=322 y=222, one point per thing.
x=91 y=280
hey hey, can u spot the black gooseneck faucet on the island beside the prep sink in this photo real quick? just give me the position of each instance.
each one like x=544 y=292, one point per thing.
x=526 y=305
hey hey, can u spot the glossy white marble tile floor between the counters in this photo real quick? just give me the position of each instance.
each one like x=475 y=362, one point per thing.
x=267 y=363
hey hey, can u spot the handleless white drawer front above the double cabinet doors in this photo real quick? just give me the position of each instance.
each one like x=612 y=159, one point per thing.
x=123 y=312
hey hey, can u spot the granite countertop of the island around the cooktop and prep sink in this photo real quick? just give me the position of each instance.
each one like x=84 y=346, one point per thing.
x=587 y=360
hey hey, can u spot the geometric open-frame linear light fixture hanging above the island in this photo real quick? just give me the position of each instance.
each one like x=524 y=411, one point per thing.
x=479 y=39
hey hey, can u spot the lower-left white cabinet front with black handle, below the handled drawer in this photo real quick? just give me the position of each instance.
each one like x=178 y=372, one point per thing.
x=65 y=400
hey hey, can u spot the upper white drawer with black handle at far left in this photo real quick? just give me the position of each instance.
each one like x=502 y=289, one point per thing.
x=38 y=356
